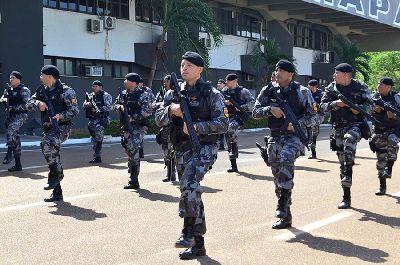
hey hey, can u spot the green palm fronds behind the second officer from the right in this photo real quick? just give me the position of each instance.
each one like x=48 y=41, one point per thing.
x=351 y=53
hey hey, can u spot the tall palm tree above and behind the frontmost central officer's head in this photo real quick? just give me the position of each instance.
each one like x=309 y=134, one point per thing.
x=178 y=16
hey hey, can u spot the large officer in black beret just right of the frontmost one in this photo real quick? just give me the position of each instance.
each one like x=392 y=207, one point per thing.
x=283 y=146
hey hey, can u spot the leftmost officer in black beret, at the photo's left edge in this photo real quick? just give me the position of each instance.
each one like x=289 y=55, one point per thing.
x=15 y=98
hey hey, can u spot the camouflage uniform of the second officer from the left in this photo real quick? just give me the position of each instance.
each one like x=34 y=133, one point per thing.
x=65 y=104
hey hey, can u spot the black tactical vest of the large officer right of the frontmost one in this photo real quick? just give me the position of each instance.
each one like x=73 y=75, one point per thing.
x=292 y=97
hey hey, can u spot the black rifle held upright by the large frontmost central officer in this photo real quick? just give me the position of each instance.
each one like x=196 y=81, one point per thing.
x=194 y=139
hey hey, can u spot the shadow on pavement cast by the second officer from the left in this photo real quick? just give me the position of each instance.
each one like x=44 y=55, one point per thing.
x=79 y=213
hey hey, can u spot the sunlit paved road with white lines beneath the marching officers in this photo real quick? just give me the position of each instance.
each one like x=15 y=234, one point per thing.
x=100 y=223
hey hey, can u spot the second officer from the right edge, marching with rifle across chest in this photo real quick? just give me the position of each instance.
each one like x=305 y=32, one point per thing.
x=350 y=126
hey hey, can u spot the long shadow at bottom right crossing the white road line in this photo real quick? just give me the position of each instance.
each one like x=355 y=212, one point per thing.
x=340 y=247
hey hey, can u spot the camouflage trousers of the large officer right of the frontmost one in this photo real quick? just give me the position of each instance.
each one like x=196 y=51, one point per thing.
x=282 y=153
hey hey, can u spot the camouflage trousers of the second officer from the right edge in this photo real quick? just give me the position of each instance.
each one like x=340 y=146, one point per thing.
x=346 y=144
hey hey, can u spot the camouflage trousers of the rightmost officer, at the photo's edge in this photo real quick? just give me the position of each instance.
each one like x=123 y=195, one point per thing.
x=387 y=148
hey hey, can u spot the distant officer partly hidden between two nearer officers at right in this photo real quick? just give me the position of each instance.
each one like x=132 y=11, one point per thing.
x=316 y=118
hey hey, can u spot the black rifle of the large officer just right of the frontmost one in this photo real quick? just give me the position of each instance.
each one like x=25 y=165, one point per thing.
x=291 y=118
